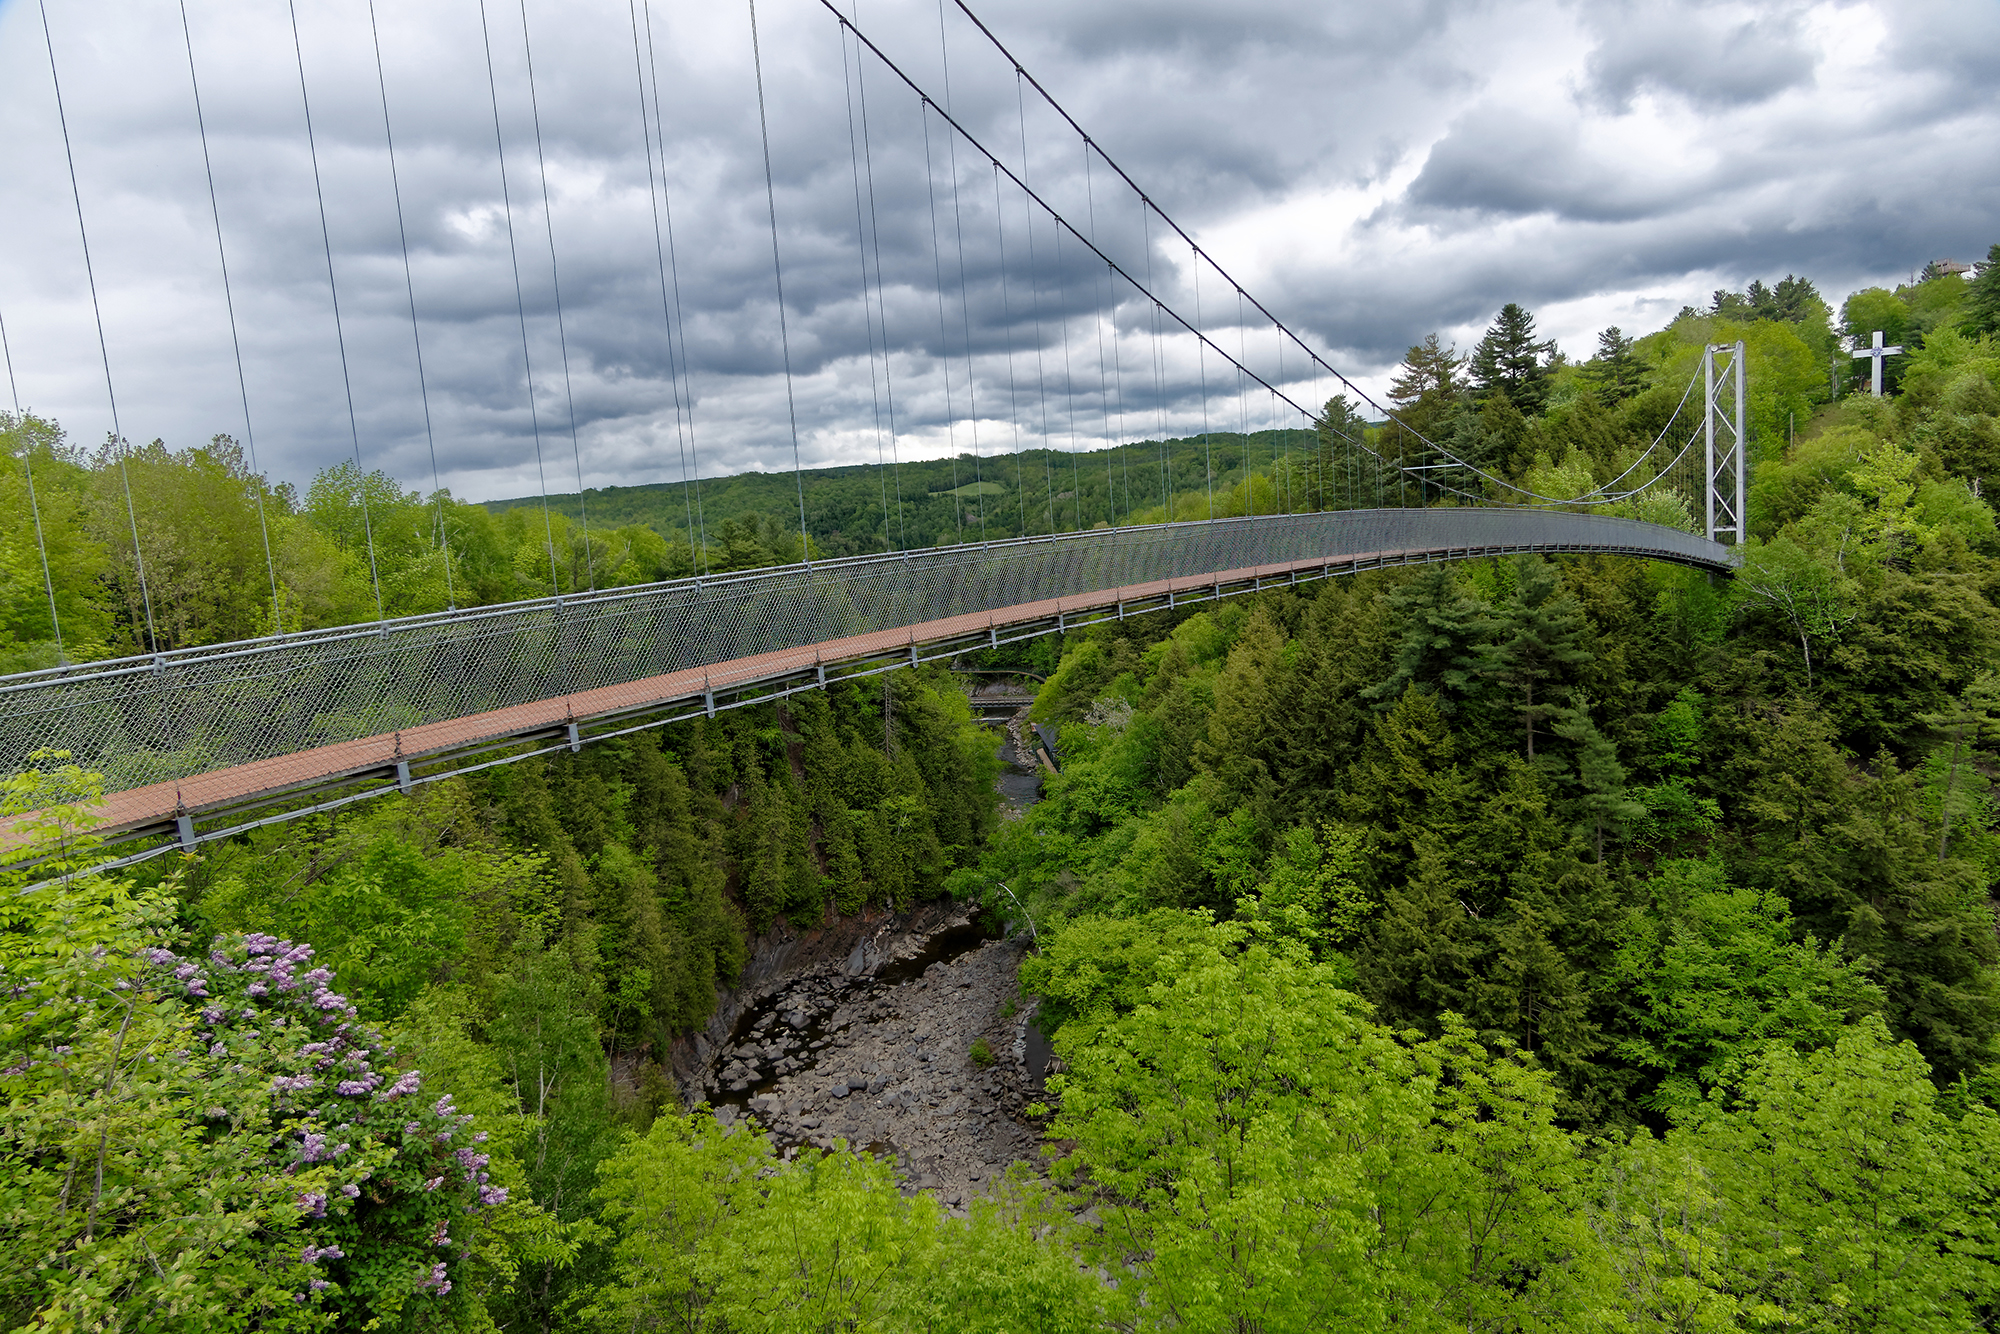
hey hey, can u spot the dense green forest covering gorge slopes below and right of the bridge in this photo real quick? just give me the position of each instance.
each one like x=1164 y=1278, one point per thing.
x=1559 y=945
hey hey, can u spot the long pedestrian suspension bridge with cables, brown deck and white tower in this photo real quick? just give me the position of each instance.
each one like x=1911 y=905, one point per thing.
x=205 y=743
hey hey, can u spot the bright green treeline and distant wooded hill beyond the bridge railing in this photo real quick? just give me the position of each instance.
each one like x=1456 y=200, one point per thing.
x=229 y=555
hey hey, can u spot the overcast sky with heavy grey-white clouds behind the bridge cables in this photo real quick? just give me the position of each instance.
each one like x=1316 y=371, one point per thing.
x=1369 y=171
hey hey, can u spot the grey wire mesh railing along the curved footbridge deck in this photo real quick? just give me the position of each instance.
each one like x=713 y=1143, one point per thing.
x=195 y=711
